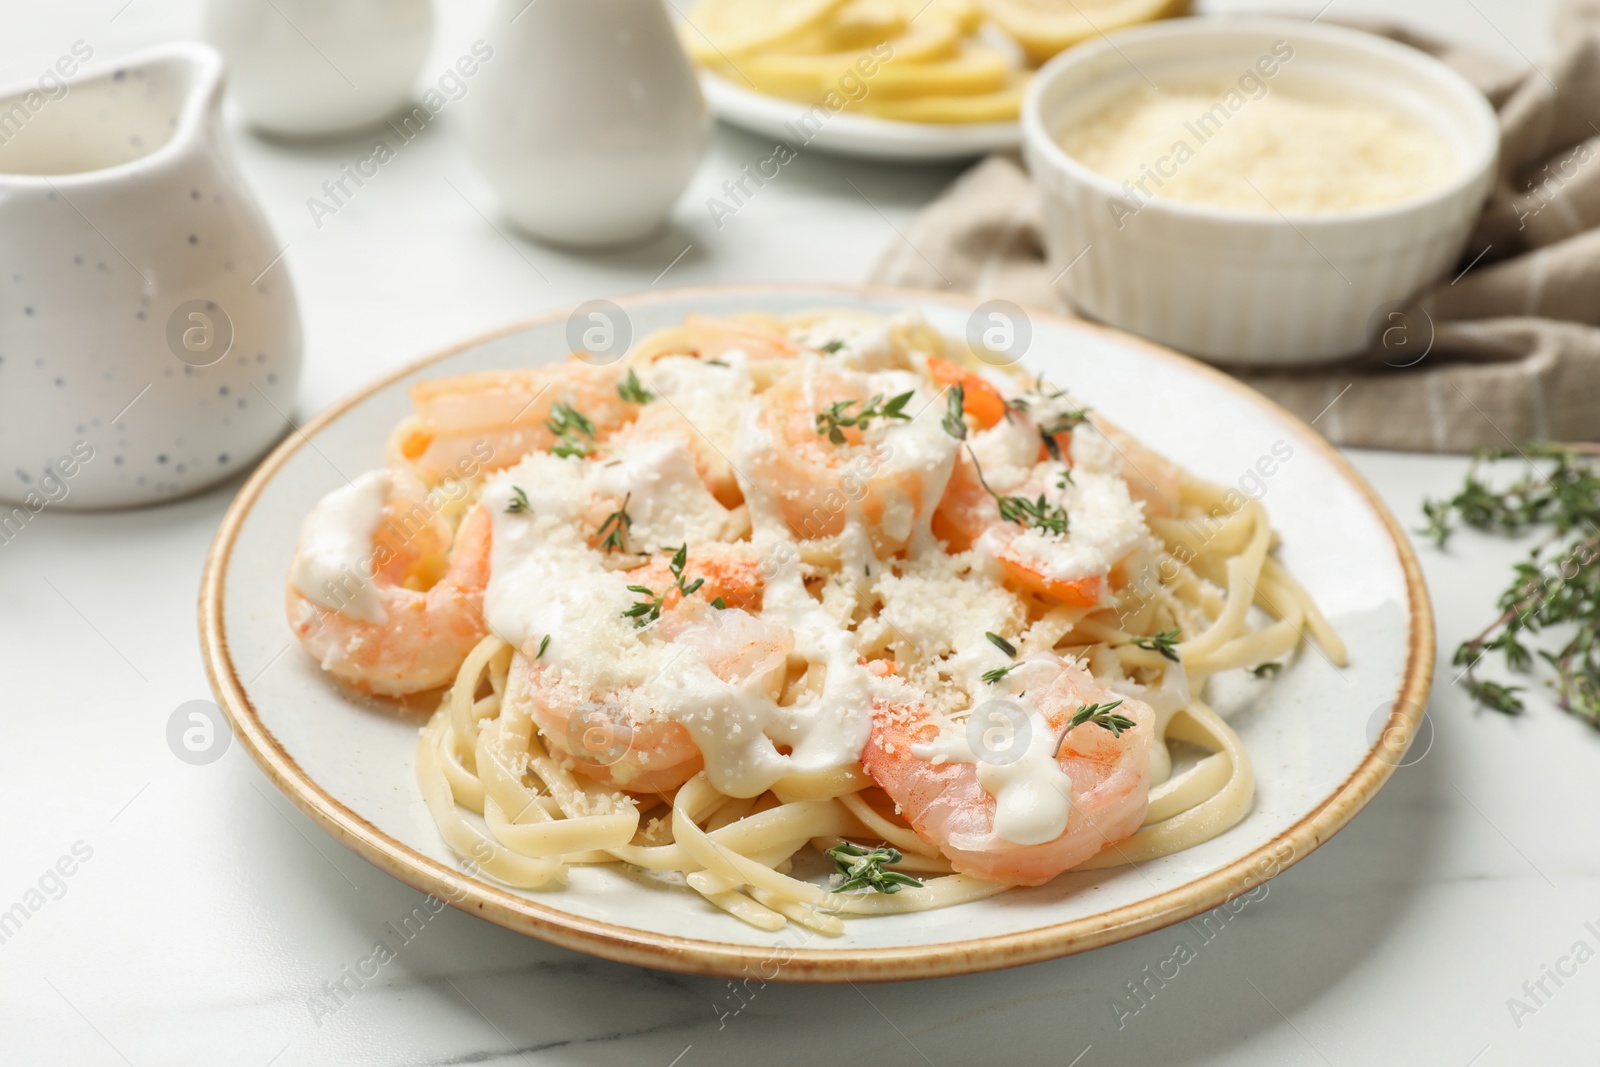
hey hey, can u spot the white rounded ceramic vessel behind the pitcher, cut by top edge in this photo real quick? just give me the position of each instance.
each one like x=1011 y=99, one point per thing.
x=316 y=68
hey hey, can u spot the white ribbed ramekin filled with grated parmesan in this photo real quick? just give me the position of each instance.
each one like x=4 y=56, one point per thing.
x=1254 y=191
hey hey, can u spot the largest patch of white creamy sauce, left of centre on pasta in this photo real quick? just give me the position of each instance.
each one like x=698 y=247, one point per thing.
x=545 y=580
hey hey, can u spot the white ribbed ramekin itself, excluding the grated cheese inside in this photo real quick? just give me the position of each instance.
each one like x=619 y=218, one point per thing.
x=1234 y=287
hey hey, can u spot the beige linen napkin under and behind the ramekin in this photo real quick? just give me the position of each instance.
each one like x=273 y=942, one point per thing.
x=1511 y=338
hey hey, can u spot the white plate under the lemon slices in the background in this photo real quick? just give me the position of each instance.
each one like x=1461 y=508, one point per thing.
x=844 y=134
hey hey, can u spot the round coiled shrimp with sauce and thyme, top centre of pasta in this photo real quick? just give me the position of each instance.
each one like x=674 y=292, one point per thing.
x=818 y=476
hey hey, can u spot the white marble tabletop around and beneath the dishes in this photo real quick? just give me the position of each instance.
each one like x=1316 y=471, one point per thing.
x=206 y=921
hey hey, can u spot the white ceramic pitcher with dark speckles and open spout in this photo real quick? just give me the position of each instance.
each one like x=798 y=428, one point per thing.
x=150 y=340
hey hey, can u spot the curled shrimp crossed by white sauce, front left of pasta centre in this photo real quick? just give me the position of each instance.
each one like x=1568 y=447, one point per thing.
x=610 y=738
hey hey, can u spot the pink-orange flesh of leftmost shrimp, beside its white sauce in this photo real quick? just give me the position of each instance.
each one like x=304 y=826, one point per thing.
x=399 y=631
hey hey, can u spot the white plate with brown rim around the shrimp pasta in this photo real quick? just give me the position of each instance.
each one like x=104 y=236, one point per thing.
x=1313 y=732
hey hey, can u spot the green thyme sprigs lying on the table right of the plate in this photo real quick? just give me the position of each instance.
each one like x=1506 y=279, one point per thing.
x=1556 y=586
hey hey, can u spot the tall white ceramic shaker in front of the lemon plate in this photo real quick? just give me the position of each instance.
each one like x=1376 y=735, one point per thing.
x=590 y=124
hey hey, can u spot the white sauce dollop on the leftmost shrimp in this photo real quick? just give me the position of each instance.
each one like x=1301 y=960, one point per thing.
x=334 y=561
